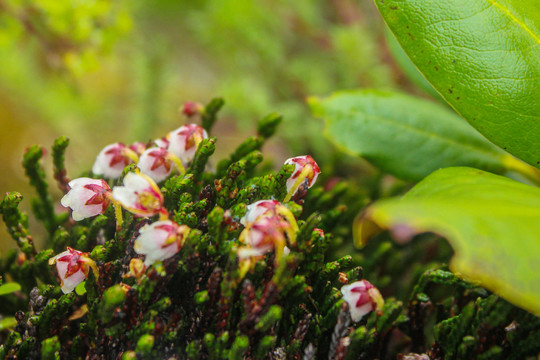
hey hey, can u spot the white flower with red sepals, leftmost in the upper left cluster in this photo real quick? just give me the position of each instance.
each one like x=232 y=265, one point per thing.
x=87 y=197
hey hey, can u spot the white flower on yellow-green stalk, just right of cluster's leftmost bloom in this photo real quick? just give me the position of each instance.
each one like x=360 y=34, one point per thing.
x=139 y=195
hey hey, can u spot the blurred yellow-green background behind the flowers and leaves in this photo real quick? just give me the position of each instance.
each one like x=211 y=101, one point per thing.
x=101 y=71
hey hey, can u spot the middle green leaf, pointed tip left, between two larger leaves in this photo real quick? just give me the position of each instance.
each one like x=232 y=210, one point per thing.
x=405 y=136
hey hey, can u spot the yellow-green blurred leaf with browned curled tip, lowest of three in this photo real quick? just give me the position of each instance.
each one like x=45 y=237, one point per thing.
x=492 y=222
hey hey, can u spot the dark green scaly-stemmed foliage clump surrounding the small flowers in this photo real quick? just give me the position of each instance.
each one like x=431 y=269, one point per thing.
x=199 y=304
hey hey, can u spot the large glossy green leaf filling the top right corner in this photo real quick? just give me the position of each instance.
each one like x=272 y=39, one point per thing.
x=483 y=57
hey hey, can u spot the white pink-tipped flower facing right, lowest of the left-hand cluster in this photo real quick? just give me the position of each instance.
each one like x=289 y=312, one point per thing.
x=160 y=240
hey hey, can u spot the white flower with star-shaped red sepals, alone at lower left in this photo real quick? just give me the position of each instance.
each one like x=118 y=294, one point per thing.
x=73 y=267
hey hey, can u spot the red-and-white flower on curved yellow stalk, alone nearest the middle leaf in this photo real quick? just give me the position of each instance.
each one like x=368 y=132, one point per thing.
x=304 y=175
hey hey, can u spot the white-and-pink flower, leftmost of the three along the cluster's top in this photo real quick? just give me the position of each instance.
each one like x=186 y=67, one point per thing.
x=112 y=160
